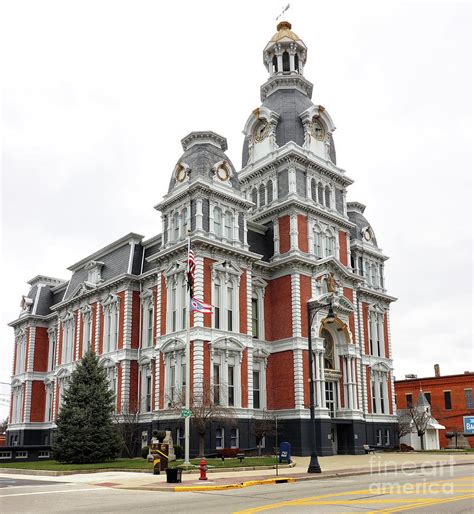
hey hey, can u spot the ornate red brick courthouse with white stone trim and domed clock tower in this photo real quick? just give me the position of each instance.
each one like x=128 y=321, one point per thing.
x=265 y=239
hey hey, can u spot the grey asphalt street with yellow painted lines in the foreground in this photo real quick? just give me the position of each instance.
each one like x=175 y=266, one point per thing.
x=448 y=490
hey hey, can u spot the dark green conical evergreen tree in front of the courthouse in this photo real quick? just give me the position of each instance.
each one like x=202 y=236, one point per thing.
x=85 y=429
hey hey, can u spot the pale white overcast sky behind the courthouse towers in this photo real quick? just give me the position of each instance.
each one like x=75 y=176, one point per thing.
x=97 y=96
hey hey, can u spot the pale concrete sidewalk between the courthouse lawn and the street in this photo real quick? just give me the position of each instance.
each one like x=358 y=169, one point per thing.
x=335 y=466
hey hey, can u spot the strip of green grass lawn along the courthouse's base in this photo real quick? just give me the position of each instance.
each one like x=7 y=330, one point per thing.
x=131 y=464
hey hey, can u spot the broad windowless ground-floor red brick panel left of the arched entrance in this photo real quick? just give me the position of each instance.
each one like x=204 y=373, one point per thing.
x=280 y=381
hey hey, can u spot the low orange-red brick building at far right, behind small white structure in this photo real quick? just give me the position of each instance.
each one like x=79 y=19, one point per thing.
x=450 y=398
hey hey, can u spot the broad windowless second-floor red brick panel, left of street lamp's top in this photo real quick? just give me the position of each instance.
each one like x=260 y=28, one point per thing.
x=278 y=315
